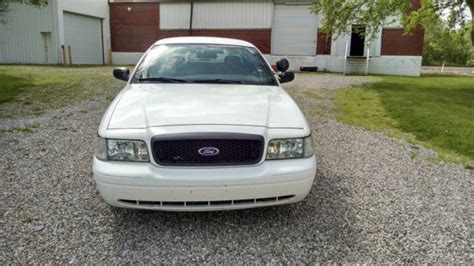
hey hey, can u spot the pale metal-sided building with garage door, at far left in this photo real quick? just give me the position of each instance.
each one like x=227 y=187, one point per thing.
x=36 y=35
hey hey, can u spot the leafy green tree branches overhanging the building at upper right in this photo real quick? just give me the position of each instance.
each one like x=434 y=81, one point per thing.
x=338 y=14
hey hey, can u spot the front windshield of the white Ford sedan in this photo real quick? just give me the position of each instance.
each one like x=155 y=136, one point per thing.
x=204 y=63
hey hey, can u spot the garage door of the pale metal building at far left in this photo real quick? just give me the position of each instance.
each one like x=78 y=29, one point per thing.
x=84 y=36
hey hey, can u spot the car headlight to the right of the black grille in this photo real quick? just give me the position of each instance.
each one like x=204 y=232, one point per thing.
x=290 y=148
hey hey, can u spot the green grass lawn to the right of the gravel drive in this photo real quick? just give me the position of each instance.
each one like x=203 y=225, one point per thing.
x=436 y=111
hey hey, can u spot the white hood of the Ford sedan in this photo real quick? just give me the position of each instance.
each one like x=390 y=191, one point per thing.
x=155 y=105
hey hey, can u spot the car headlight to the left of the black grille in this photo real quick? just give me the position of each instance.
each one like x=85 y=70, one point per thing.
x=122 y=150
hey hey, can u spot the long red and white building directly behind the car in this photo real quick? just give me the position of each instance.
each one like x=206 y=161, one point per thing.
x=279 y=28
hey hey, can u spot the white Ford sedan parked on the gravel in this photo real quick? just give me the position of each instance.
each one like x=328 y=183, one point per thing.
x=203 y=124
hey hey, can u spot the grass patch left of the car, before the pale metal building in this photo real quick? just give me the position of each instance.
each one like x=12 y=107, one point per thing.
x=35 y=89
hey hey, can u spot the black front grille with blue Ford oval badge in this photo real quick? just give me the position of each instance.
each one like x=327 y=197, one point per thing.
x=207 y=149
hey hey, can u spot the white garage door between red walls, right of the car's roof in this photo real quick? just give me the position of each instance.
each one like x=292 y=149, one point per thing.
x=294 y=30
